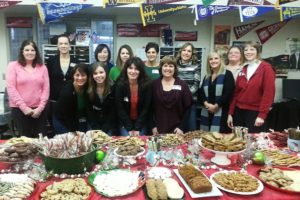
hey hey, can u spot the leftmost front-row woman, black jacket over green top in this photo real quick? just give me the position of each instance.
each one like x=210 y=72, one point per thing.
x=70 y=109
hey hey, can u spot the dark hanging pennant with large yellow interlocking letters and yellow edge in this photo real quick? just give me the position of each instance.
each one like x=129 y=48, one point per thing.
x=153 y=12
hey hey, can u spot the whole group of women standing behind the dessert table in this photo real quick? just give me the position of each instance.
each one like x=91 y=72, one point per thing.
x=136 y=97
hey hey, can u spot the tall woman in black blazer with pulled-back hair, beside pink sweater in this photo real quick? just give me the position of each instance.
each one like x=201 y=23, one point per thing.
x=60 y=69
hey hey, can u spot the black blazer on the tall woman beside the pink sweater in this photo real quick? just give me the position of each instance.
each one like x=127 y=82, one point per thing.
x=56 y=77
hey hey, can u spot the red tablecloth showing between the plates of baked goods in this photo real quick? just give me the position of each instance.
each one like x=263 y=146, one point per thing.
x=266 y=194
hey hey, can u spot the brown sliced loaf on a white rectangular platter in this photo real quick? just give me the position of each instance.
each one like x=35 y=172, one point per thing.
x=209 y=189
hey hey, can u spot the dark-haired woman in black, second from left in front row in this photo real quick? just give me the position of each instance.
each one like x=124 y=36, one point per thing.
x=101 y=110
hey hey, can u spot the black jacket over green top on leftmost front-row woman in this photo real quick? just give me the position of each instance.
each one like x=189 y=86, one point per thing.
x=66 y=107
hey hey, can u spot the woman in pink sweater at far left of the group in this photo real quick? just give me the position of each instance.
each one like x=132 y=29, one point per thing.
x=28 y=90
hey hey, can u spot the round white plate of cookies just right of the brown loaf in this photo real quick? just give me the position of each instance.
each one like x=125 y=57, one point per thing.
x=237 y=182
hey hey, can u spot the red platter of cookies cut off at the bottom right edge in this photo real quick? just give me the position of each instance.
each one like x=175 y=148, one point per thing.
x=282 y=179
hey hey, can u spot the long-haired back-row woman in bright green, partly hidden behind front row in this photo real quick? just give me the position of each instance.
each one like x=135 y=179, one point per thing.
x=125 y=52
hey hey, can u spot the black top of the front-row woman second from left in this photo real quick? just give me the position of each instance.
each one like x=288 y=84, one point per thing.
x=102 y=115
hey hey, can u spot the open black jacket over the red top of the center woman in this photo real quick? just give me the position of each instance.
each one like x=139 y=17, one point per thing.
x=123 y=106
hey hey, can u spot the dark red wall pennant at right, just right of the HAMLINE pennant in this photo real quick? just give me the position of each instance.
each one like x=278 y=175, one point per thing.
x=265 y=33
